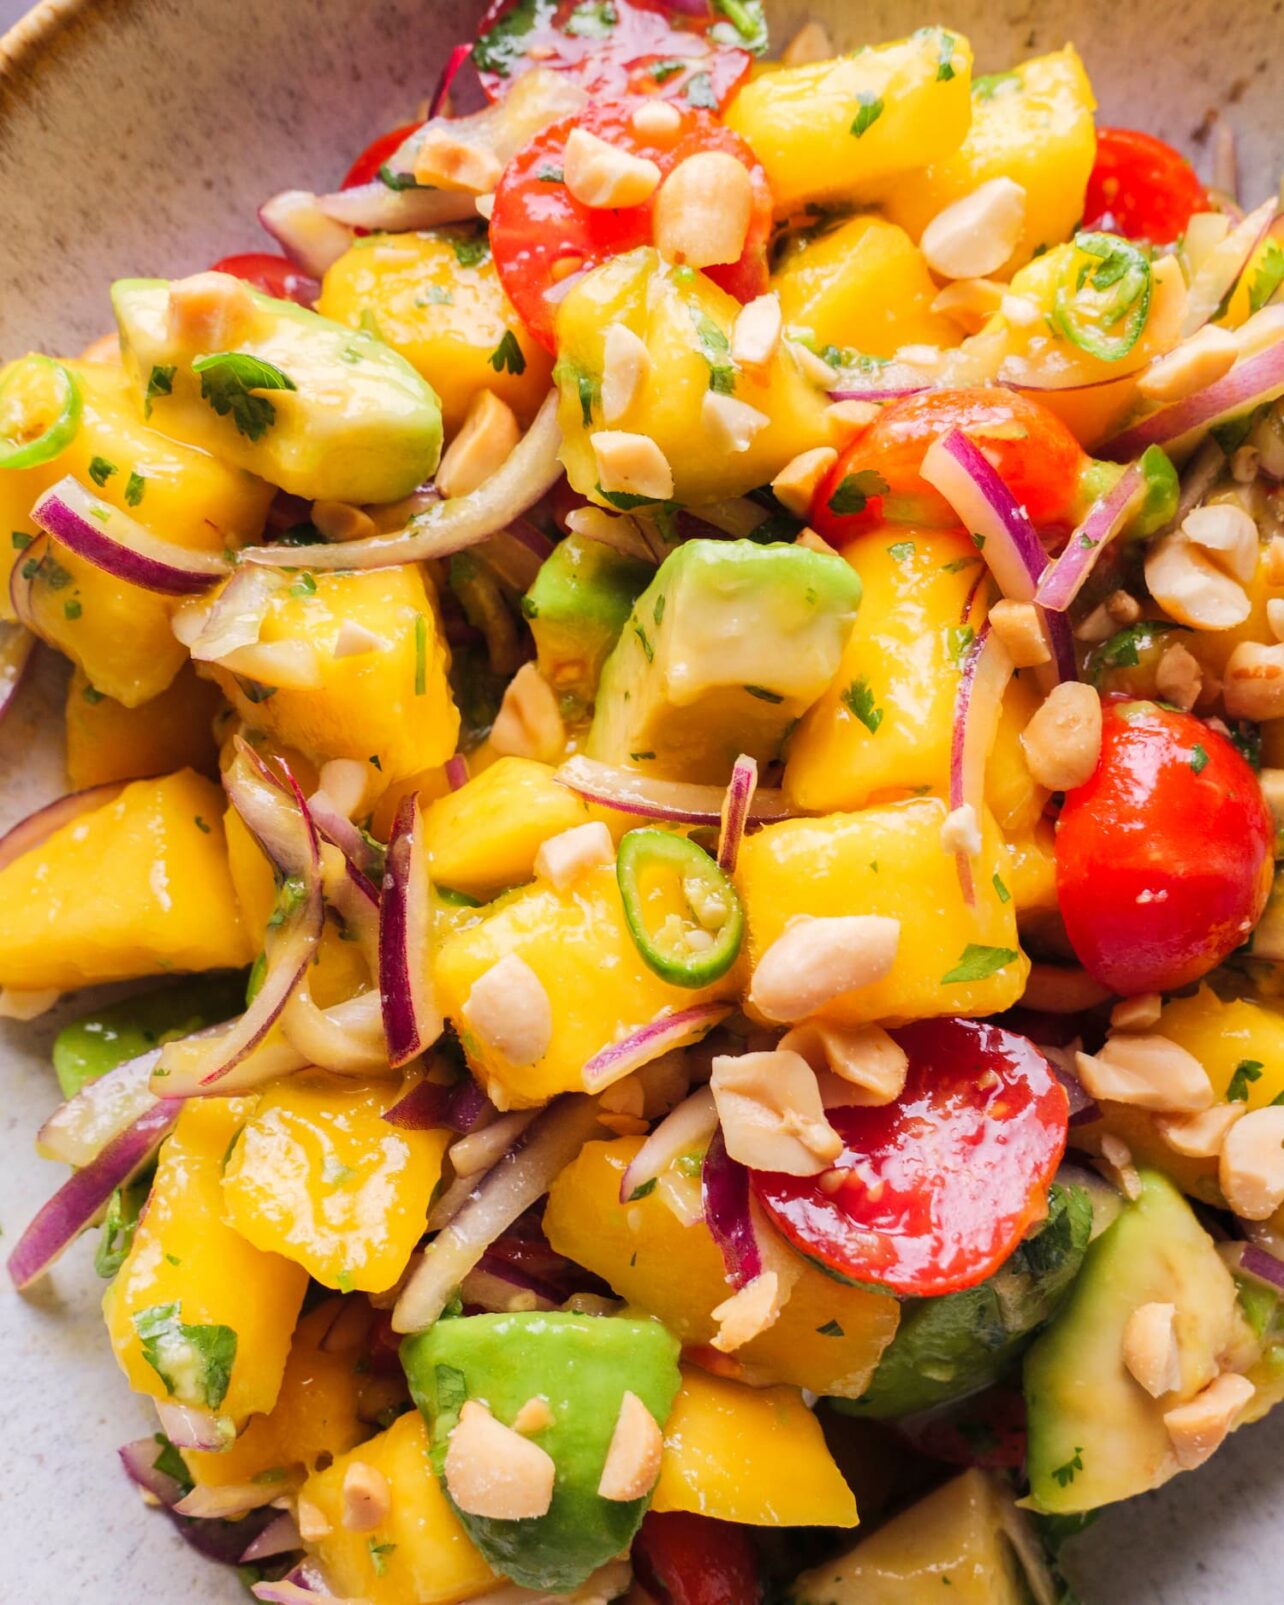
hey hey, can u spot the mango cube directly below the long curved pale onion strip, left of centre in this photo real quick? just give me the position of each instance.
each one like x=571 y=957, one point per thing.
x=389 y=702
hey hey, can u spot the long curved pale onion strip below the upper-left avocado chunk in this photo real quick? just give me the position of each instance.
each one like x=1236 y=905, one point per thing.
x=529 y=473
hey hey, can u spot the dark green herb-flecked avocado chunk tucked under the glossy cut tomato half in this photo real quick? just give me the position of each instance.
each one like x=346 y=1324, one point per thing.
x=956 y=1346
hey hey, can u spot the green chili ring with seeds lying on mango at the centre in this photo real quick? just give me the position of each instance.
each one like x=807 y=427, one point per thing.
x=683 y=912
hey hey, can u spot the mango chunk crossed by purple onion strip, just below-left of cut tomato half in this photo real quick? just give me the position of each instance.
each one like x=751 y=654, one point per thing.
x=675 y=1272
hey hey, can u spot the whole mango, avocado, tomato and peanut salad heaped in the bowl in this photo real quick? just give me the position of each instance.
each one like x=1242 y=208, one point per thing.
x=675 y=731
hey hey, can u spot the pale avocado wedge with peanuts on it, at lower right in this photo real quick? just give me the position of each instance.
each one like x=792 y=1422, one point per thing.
x=1095 y=1434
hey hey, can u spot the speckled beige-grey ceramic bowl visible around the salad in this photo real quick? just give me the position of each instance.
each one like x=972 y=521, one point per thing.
x=140 y=137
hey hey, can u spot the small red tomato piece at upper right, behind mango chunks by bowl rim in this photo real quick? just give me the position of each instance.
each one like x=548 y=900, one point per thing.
x=1142 y=189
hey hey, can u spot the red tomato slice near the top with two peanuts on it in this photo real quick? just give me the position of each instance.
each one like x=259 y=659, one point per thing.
x=542 y=235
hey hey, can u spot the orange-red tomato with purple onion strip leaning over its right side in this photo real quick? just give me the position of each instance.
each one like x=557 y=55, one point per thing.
x=877 y=481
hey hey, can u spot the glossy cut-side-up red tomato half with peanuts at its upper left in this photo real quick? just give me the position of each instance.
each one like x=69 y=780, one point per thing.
x=943 y=1184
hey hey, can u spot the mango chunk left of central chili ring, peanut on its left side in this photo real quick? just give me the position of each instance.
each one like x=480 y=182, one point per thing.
x=582 y=951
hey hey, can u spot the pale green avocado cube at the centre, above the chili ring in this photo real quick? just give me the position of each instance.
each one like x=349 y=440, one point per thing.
x=725 y=651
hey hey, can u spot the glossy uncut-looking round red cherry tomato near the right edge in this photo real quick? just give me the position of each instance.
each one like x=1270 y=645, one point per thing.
x=1163 y=863
